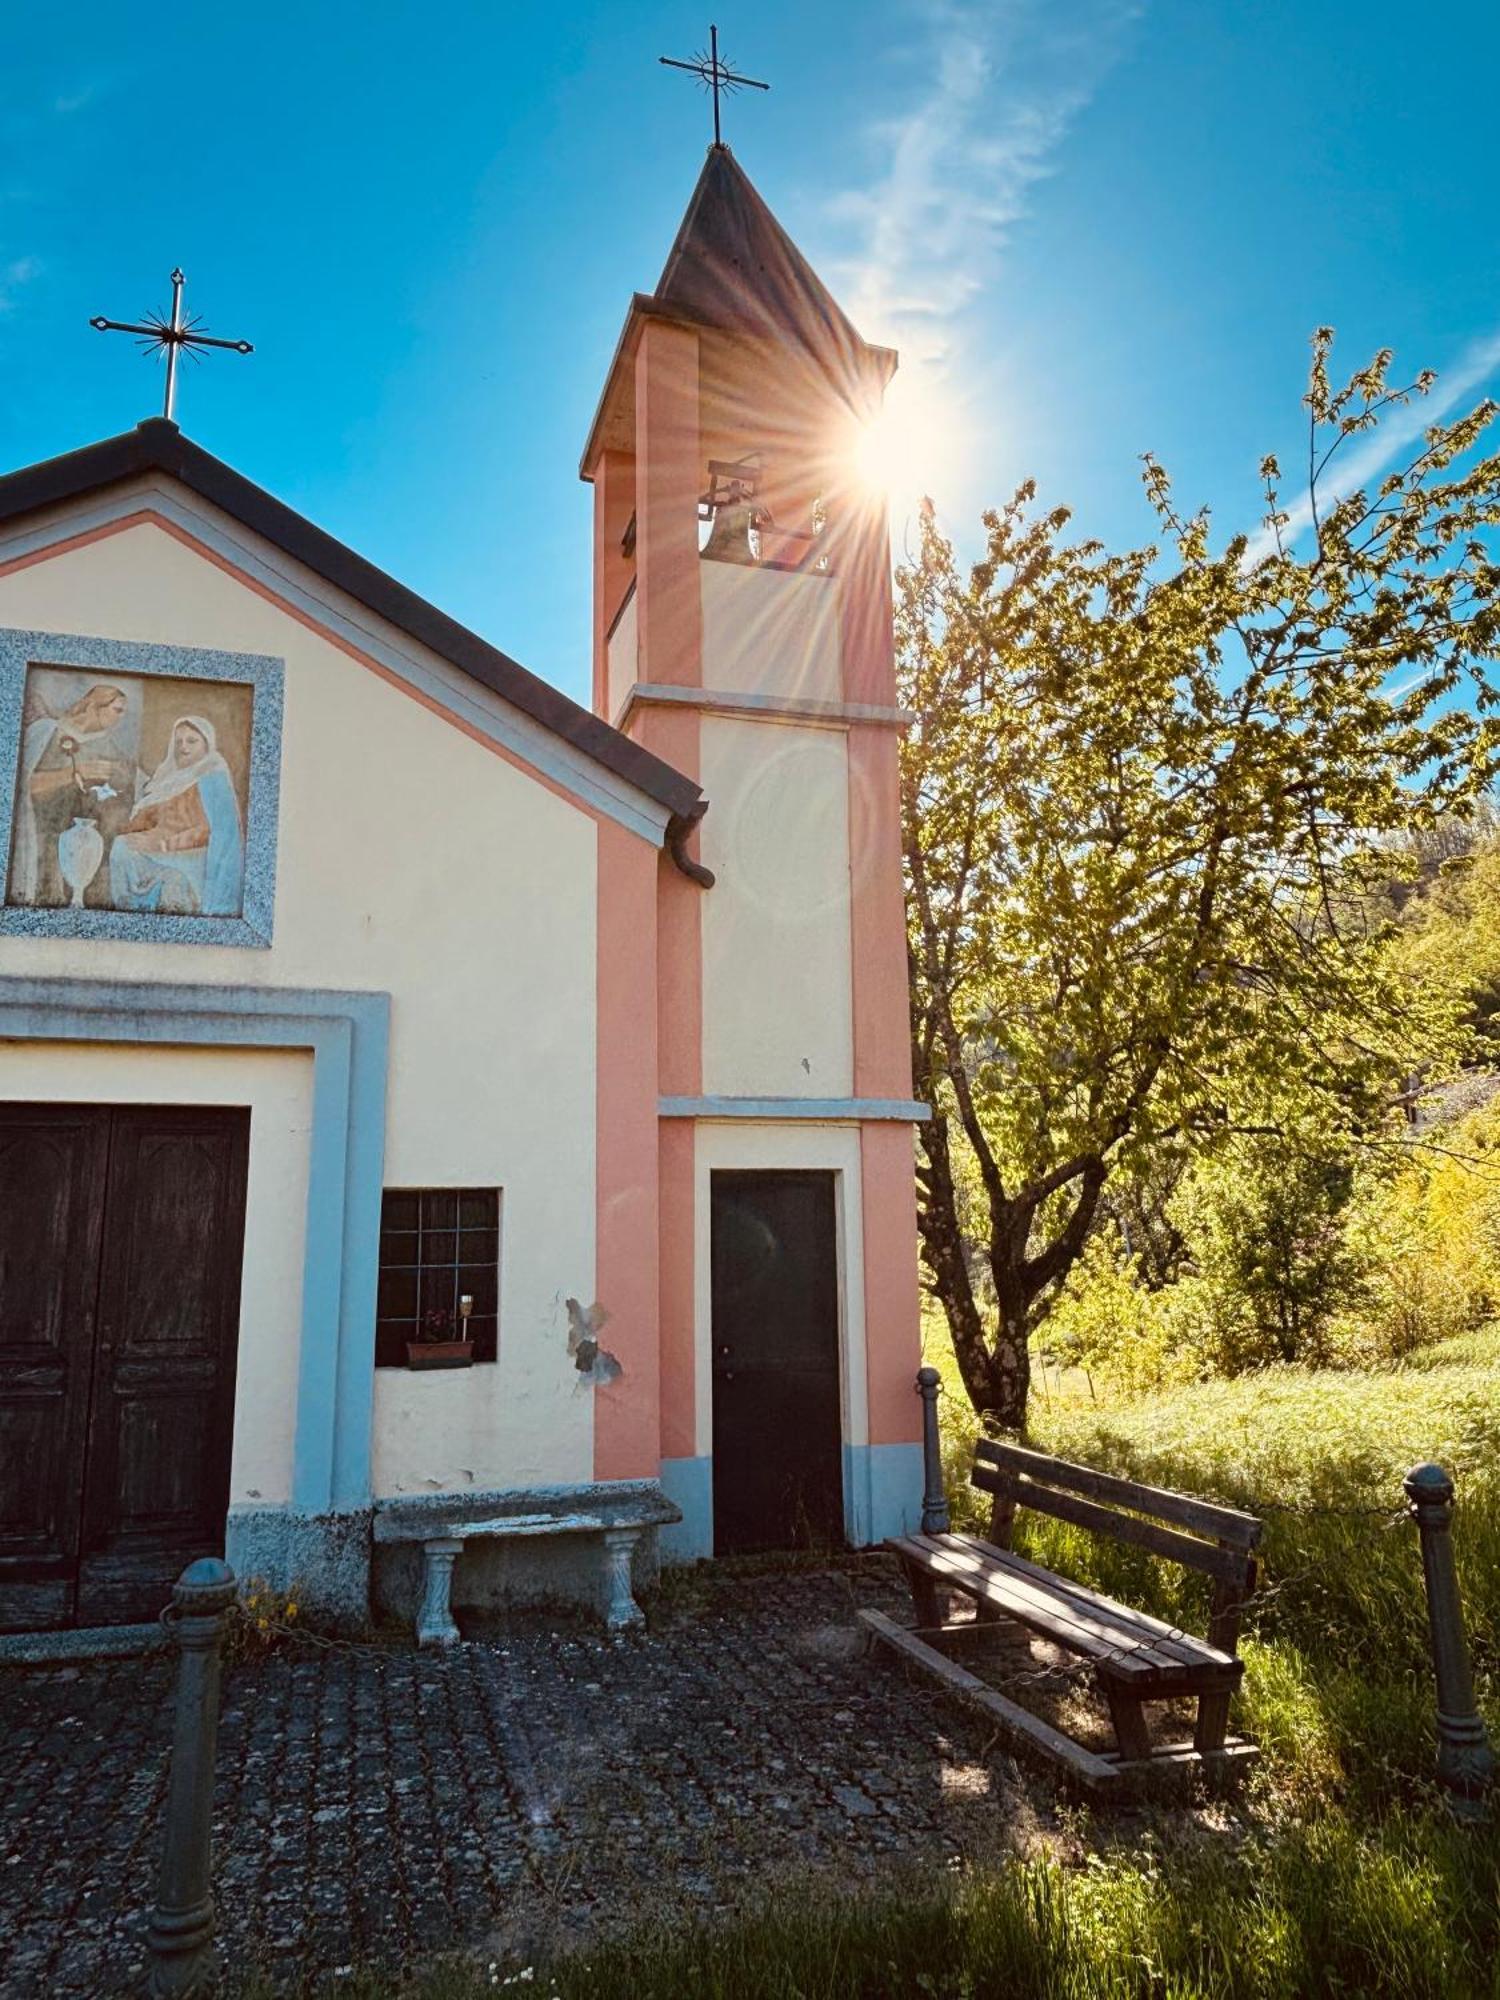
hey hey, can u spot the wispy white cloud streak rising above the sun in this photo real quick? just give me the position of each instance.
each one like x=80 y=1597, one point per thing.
x=1001 y=85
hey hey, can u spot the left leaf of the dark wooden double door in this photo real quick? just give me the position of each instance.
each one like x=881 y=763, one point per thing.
x=53 y=1161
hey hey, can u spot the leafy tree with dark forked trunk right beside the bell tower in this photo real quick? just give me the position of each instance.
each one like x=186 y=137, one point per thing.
x=1151 y=807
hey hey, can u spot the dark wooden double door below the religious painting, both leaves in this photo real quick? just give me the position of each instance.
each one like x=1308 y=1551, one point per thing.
x=121 y=1247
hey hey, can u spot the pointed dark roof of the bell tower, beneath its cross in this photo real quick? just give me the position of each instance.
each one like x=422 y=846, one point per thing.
x=737 y=275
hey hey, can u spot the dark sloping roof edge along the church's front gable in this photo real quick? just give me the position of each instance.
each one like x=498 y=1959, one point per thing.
x=159 y=447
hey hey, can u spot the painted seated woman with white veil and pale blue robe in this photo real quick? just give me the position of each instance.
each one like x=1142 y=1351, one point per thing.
x=183 y=851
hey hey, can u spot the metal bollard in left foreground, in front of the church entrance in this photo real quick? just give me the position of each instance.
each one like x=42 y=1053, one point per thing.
x=183 y=1923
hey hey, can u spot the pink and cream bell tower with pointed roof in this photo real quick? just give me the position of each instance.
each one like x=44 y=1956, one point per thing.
x=743 y=633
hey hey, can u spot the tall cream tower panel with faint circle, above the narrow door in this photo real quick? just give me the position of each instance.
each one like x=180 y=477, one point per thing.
x=777 y=925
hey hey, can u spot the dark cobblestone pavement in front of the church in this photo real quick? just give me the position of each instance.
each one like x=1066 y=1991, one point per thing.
x=513 y=1797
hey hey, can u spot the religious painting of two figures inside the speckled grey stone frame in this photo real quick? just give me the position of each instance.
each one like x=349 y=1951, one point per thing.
x=131 y=793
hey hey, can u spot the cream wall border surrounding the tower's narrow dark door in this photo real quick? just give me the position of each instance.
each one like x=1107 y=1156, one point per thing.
x=741 y=1143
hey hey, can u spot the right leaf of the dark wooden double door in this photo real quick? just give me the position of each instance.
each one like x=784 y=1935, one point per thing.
x=163 y=1411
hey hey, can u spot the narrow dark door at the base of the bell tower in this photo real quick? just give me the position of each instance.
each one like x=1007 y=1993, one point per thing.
x=777 y=1393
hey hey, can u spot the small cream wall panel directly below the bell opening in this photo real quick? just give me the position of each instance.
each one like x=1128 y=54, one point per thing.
x=771 y=633
